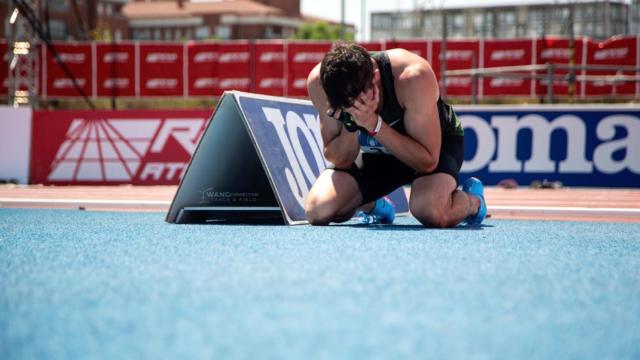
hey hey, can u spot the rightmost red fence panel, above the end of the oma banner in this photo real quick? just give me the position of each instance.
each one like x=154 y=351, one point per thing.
x=617 y=52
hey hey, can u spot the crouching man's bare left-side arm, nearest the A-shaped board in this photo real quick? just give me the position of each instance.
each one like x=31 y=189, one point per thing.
x=340 y=146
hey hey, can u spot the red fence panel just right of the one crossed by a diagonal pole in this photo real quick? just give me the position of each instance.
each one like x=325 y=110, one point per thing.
x=116 y=73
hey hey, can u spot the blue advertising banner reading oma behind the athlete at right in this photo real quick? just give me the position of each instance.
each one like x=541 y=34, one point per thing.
x=595 y=146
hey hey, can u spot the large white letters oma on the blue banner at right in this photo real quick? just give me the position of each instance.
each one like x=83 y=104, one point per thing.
x=503 y=144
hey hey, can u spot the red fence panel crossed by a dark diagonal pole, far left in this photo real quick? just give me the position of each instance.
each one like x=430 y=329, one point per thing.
x=78 y=59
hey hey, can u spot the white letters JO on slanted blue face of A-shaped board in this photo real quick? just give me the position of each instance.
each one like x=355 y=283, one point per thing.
x=299 y=175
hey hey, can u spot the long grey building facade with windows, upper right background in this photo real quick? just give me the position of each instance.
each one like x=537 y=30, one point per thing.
x=596 y=19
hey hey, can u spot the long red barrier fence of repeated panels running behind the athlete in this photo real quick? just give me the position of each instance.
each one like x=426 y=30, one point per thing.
x=148 y=69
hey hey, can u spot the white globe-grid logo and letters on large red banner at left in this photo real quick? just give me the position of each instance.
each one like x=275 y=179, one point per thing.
x=114 y=149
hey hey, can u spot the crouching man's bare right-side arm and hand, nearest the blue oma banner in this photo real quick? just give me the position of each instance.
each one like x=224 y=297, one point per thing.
x=417 y=91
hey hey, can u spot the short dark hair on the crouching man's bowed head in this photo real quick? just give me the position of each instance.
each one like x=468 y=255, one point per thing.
x=346 y=70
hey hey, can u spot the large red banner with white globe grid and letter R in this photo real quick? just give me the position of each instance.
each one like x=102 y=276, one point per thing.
x=114 y=147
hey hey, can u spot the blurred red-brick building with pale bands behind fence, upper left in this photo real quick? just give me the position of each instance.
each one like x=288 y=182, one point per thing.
x=169 y=20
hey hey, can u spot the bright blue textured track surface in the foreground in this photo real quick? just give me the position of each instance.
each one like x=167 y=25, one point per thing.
x=126 y=285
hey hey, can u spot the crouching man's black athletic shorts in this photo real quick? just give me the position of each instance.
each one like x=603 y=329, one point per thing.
x=380 y=174
